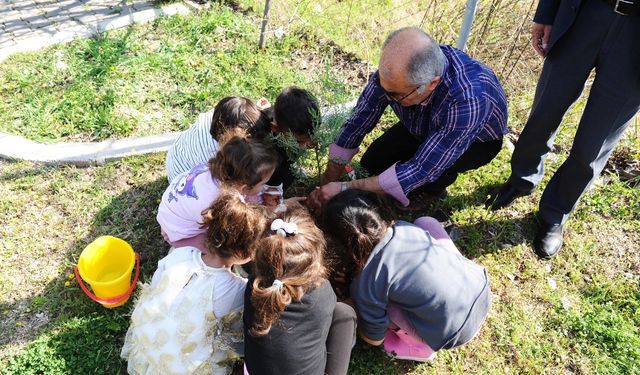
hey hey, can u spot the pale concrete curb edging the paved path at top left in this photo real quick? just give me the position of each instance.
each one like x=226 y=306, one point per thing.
x=55 y=36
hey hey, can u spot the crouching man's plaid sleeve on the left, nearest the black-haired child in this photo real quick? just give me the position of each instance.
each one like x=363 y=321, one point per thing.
x=366 y=114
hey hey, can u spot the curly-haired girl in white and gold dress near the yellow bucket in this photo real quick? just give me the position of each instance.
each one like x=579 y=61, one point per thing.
x=188 y=320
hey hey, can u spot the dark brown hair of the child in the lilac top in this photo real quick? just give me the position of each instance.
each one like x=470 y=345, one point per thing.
x=242 y=160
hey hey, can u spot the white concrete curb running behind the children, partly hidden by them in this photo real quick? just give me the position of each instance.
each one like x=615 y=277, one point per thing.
x=95 y=153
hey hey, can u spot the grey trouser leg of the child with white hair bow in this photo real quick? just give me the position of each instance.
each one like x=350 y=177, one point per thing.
x=340 y=340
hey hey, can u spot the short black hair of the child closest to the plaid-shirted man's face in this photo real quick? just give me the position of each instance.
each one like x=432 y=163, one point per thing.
x=296 y=110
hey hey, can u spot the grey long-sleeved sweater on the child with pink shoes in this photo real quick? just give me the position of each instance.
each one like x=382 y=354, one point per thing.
x=444 y=295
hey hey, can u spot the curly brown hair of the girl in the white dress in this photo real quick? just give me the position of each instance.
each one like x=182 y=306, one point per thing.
x=233 y=225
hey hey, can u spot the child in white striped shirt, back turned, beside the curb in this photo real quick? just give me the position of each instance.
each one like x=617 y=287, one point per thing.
x=199 y=143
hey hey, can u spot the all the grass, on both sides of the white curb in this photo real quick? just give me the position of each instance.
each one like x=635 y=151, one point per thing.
x=578 y=313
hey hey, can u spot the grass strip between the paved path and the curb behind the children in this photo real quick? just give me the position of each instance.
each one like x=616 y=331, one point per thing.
x=150 y=79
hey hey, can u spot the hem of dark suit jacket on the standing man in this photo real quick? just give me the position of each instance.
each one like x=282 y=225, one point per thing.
x=559 y=13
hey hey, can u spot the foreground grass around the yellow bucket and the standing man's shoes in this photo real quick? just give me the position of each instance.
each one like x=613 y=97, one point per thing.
x=588 y=323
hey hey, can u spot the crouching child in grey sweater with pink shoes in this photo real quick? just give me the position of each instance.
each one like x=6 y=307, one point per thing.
x=411 y=287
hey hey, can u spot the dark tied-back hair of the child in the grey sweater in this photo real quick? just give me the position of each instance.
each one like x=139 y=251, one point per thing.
x=356 y=220
